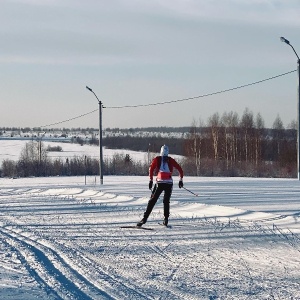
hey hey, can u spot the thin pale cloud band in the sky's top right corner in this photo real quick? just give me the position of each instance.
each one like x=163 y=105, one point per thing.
x=244 y=11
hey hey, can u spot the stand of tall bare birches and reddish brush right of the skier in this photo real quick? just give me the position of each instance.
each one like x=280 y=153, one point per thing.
x=229 y=146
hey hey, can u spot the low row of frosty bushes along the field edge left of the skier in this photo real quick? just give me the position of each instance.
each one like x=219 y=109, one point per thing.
x=35 y=161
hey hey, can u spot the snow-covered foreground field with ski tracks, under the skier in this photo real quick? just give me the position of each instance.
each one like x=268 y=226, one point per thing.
x=61 y=239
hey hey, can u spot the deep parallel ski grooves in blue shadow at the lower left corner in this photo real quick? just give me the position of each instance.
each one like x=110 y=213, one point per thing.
x=50 y=269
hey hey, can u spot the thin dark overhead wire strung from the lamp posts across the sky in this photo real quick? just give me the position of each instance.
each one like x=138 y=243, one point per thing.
x=173 y=101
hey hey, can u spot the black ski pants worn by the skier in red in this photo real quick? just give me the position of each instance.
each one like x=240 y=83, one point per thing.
x=157 y=190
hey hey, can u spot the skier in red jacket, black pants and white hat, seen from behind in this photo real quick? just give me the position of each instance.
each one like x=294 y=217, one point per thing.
x=163 y=166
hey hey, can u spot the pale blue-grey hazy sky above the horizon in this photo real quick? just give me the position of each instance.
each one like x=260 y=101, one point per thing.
x=137 y=52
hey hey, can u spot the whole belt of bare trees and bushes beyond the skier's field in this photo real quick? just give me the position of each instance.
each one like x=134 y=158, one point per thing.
x=226 y=145
